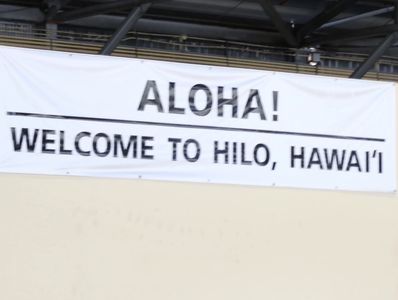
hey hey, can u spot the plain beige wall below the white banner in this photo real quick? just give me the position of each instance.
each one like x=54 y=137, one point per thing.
x=82 y=238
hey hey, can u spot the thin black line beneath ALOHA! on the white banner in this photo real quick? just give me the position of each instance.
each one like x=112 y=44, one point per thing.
x=77 y=118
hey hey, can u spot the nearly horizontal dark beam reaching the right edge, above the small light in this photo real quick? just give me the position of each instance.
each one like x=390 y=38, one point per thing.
x=353 y=35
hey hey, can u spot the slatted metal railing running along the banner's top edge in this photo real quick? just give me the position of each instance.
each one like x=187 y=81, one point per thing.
x=193 y=50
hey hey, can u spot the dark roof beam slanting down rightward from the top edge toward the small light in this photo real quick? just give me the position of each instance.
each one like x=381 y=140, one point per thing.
x=284 y=28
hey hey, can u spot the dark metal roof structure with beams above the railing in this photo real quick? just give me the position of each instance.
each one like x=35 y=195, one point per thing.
x=333 y=26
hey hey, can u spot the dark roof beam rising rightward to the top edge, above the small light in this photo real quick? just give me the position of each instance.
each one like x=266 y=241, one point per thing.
x=322 y=18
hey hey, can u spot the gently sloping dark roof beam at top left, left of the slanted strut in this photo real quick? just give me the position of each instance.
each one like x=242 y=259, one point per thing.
x=97 y=10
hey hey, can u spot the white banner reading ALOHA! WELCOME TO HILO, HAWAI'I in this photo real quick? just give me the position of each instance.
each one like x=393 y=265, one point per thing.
x=91 y=115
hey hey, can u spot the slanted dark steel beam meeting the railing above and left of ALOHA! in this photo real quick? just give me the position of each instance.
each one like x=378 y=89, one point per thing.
x=128 y=23
